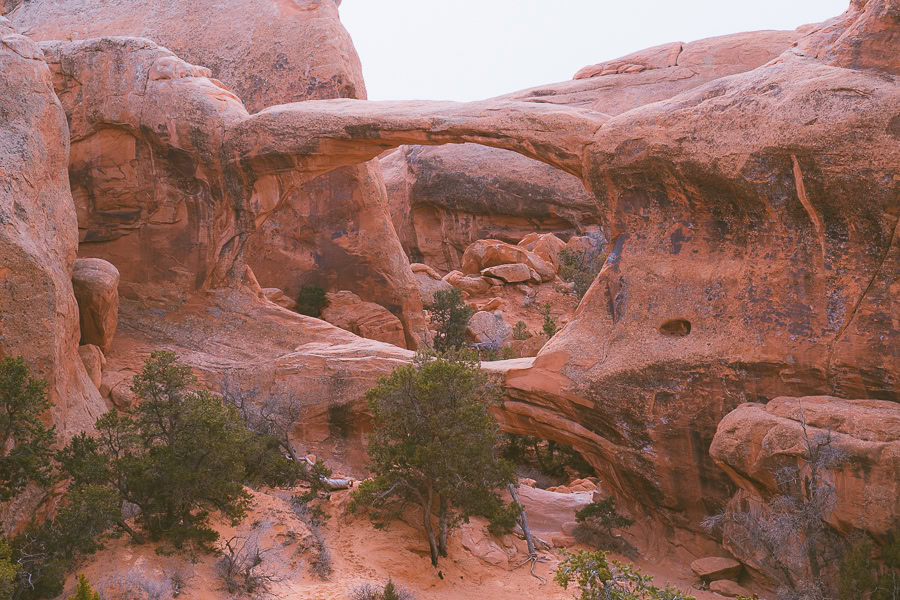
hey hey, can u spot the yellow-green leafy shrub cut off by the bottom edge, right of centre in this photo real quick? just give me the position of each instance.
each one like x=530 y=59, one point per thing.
x=599 y=579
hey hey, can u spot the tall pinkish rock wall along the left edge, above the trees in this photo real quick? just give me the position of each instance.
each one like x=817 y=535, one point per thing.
x=39 y=235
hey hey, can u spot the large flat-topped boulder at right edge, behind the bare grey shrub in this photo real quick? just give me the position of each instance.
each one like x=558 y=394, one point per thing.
x=754 y=441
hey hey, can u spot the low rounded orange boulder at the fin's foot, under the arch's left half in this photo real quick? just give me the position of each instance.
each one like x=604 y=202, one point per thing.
x=366 y=319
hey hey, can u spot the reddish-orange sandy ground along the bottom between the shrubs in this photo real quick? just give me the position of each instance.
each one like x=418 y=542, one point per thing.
x=360 y=553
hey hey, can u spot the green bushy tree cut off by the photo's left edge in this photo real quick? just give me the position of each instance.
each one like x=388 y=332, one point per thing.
x=26 y=444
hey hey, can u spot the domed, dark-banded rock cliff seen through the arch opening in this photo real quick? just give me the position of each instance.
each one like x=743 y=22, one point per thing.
x=443 y=199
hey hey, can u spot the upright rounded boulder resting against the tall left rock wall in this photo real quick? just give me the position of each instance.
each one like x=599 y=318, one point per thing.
x=96 y=285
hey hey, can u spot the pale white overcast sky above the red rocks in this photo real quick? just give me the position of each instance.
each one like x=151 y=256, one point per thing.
x=473 y=49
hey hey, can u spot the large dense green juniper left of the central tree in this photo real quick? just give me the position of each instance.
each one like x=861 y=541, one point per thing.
x=177 y=455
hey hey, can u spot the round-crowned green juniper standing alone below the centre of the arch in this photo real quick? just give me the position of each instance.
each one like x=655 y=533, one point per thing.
x=433 y=445
